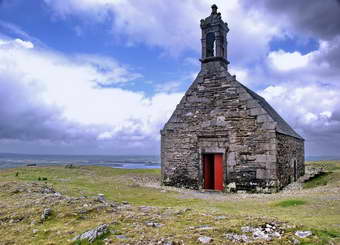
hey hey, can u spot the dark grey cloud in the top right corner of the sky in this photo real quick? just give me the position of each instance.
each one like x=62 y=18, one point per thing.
x=311 y=17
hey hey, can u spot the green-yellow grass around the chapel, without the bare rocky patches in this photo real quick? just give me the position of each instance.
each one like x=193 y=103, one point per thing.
x=318 y=210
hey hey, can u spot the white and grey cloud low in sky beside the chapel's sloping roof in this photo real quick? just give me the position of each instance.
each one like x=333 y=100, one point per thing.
x=312 y=110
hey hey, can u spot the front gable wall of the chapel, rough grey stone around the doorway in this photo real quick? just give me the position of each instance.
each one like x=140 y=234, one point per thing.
x=218 y=115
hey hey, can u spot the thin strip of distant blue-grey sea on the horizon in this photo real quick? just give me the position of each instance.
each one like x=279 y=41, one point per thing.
x=9 y=160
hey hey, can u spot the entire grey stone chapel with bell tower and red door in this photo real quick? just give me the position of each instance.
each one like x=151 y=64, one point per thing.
x=222 y=135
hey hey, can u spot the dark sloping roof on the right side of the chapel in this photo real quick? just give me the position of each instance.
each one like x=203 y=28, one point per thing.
x=282 y=126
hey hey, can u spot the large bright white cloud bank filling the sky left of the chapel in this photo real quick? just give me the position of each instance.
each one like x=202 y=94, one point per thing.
x=46 y=96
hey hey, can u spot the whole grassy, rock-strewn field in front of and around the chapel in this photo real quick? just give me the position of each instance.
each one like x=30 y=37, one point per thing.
x=136 y=200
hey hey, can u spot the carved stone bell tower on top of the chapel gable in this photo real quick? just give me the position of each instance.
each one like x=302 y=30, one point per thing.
x=214 y=38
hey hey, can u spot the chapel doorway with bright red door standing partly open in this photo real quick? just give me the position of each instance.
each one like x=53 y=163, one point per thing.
x=213 y=171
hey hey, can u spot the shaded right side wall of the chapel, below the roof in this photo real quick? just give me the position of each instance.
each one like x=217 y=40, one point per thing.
x=290 y=159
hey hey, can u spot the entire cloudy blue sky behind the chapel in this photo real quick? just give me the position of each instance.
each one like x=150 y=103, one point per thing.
x=103 y=76
